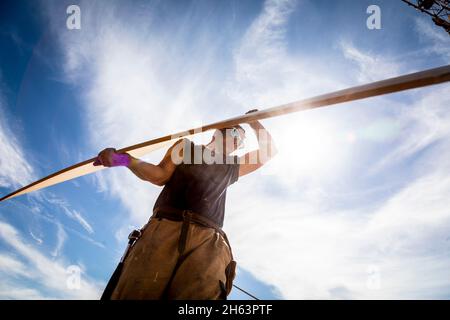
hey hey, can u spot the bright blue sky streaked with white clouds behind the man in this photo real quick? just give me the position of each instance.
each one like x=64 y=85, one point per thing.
x=355 y=205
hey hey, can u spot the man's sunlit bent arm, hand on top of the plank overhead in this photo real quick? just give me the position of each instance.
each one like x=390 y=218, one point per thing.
x=253 y=160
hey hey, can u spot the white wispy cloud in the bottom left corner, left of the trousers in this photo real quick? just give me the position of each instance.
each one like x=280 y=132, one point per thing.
x=49 y=274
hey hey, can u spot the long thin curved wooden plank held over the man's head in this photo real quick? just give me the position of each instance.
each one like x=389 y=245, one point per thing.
x=401 y=83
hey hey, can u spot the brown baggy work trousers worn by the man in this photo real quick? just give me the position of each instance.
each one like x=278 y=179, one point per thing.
x=152 y=269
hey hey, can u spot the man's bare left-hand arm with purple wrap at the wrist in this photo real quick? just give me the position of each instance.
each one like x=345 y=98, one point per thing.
x=156 y=174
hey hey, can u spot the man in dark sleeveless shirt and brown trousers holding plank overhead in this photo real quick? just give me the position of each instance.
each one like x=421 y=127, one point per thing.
x=182 y=252
